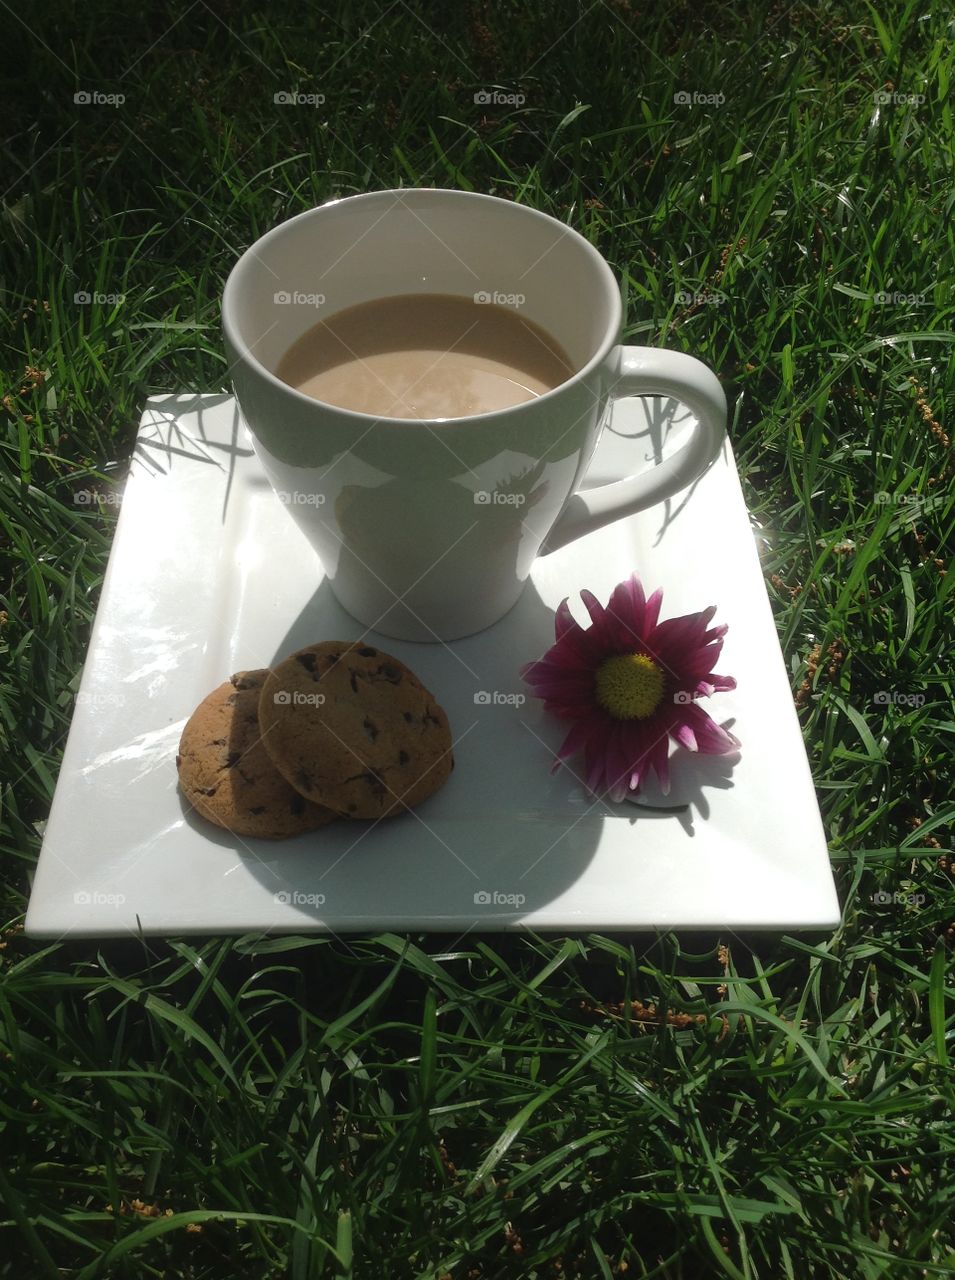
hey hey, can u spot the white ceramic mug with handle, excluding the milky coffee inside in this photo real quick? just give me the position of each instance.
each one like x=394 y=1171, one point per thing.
x=428 y=531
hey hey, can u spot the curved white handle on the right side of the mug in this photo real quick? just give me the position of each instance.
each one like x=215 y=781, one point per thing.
x=652 y=372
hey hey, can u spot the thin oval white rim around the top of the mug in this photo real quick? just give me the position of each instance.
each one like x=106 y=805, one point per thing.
x=245 y=354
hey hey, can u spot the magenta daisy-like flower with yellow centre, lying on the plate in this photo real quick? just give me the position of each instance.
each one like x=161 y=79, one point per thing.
x=630 y=684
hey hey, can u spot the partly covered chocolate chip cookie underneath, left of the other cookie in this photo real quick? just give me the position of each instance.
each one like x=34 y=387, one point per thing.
x=227 y=775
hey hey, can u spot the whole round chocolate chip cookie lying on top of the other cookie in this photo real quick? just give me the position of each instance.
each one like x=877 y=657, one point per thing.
x=354 y=730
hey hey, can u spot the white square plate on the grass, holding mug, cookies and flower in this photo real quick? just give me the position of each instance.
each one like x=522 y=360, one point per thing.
x=209 y=575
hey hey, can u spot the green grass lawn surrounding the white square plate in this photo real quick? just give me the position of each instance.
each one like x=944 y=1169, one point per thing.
x=317 y=1108
